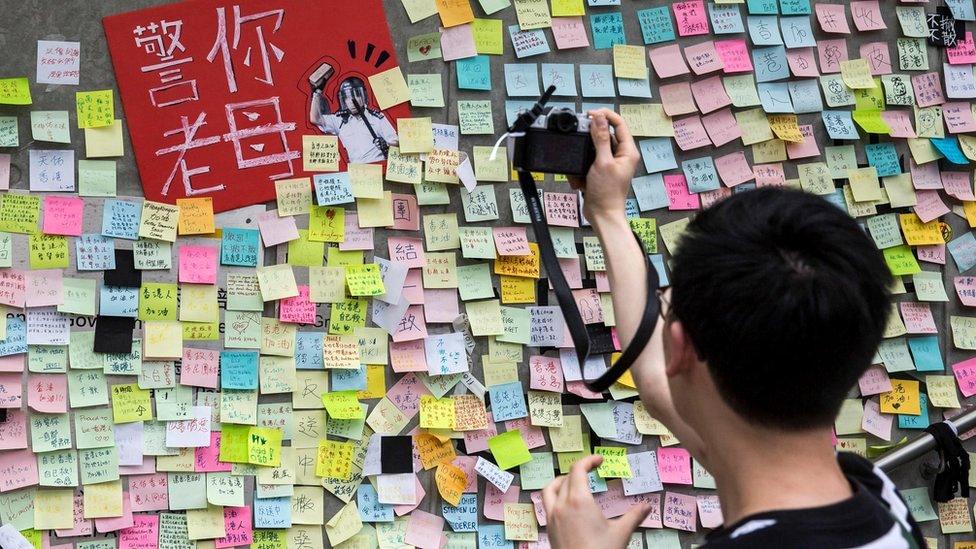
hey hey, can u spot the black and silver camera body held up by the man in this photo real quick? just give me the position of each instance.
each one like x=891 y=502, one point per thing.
x=558 y=142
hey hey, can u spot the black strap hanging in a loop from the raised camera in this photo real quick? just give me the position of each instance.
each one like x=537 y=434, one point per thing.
x=564 y=295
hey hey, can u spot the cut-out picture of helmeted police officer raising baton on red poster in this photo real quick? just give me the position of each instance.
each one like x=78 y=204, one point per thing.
x=364 y=132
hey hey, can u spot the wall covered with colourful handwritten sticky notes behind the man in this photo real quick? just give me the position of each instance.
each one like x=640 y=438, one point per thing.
x=301 y=378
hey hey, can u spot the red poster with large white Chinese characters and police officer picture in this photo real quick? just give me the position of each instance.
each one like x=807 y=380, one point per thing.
x=218 y=94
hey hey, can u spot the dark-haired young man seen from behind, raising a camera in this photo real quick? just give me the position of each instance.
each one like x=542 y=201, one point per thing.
x=777 y=304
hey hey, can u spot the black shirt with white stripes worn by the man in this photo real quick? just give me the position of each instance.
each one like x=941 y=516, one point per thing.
x=874 y=517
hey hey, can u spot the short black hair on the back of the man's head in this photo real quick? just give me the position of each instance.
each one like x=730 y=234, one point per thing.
x=786 y=298
